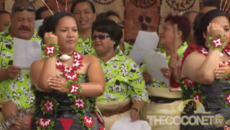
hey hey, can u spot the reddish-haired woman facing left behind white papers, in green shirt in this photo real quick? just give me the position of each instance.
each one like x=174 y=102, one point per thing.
x=166 y=42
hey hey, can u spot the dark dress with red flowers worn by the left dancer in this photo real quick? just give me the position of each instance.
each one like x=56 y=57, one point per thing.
x=56 y=111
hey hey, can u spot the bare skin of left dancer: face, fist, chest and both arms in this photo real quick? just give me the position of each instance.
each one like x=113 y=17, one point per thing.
x=44 y=69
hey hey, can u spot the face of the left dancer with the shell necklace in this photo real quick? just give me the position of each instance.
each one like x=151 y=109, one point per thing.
x=67 y=34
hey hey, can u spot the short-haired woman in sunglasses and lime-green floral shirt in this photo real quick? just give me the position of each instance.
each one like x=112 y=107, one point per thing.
x=125 y=92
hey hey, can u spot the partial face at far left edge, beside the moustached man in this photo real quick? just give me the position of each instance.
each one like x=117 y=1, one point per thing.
x=4 y=21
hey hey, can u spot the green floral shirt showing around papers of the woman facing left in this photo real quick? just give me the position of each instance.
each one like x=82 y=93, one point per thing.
x=156 y=83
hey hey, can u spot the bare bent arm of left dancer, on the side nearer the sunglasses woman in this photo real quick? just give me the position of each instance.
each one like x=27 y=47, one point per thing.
x=96 y=84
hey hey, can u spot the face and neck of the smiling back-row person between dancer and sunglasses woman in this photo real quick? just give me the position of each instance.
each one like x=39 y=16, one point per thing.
x=85 y=18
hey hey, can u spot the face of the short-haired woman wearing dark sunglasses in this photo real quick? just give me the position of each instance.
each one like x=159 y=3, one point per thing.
x=102 y=42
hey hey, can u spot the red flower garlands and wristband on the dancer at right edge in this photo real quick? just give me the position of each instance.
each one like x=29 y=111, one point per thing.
x=189 y=85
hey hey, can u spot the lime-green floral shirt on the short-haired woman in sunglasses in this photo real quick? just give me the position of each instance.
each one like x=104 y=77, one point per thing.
x=123 y=80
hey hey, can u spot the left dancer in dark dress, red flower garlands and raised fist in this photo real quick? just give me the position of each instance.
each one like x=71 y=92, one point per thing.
x=67 y=83
